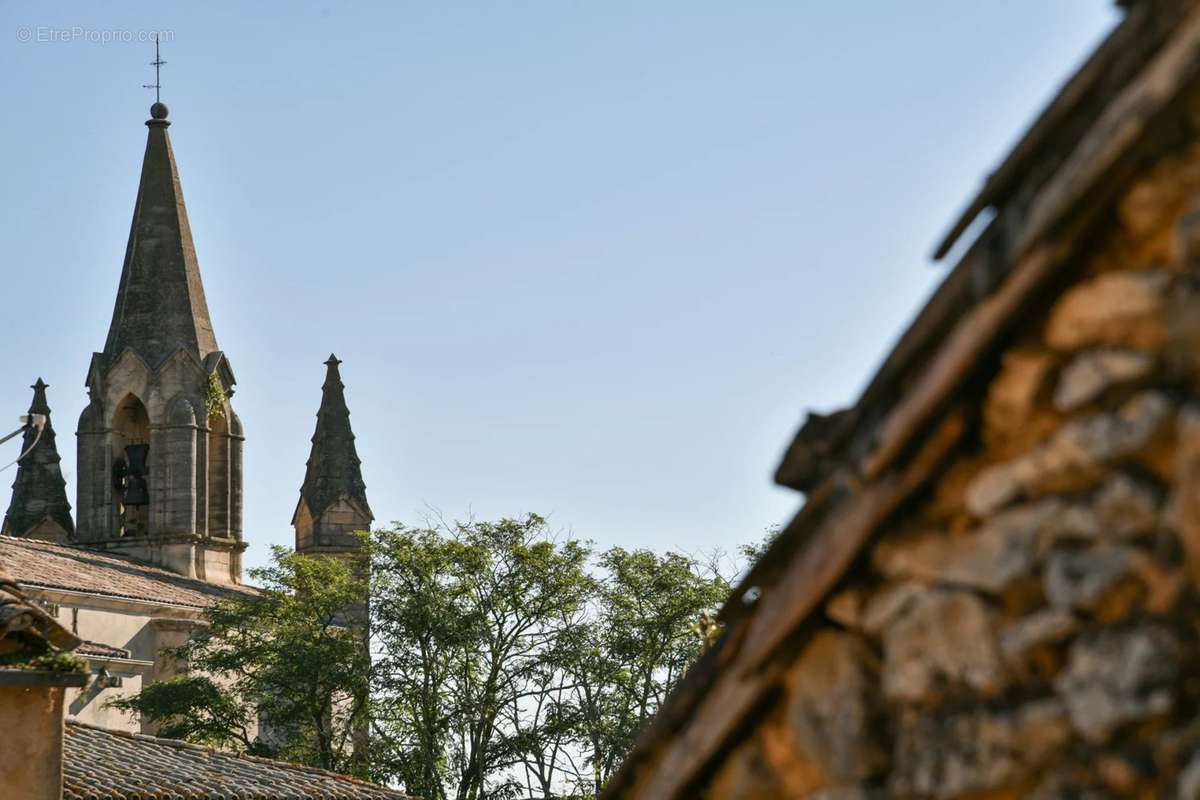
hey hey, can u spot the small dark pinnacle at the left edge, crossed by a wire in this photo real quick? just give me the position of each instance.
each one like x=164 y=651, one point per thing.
x=40 y=508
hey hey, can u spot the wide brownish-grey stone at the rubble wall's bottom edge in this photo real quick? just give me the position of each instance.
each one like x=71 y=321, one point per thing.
x=976 y=751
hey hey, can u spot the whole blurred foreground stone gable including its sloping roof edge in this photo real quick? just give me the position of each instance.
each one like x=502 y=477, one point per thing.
x=993 y=587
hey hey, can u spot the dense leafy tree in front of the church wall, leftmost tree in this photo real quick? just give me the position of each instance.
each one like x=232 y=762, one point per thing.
x=292 y=657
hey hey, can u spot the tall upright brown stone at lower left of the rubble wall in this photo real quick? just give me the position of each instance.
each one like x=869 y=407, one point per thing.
x=833 y=708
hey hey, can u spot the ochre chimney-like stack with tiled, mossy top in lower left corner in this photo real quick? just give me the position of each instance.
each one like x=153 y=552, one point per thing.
x=35 y=670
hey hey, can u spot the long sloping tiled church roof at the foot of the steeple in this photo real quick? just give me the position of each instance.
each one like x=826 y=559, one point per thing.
x=33 y=563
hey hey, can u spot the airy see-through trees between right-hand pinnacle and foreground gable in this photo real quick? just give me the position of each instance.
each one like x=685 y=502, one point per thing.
x=511 y=664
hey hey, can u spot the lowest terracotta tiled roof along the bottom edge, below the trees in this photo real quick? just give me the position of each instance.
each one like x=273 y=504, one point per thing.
x=101 y=765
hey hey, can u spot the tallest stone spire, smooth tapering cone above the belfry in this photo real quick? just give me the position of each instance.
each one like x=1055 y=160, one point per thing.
x=160 y=304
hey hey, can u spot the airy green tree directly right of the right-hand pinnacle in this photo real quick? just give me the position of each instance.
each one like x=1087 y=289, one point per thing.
x=466 y=619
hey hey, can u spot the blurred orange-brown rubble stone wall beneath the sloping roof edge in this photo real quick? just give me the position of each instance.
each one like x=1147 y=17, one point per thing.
x=1031 y=628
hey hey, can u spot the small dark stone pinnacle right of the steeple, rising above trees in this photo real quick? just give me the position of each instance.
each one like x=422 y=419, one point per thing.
x=333 y=500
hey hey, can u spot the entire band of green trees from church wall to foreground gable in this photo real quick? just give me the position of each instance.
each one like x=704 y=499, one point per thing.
x=505 y=661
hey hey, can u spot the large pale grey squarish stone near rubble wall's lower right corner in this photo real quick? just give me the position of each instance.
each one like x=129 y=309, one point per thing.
x=1118 y=677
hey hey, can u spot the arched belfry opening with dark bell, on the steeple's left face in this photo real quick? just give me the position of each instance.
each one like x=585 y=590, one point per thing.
x=131 y=467
